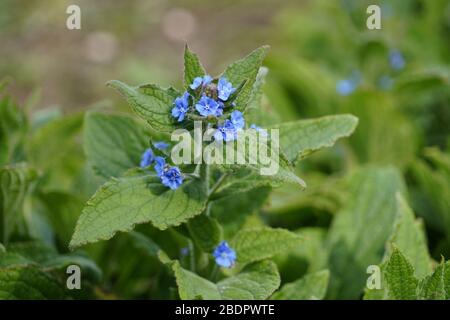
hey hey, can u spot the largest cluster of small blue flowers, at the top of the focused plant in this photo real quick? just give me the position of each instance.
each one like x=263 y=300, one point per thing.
x=209 y=98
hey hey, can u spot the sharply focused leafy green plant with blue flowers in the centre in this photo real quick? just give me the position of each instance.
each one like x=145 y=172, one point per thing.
x=188 y=202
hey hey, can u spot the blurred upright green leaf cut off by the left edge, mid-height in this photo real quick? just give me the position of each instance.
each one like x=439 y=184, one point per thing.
x=14 y=185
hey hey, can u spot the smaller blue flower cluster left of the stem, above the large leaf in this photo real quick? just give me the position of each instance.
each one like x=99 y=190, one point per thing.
x=170 y=176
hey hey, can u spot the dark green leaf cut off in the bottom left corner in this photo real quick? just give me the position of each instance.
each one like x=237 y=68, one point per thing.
x=28 y=283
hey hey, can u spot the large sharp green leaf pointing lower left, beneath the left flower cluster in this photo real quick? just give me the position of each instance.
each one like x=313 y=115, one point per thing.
x=120 y=204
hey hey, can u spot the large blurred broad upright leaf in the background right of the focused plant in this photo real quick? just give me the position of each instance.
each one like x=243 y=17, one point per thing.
x=353 y=242
